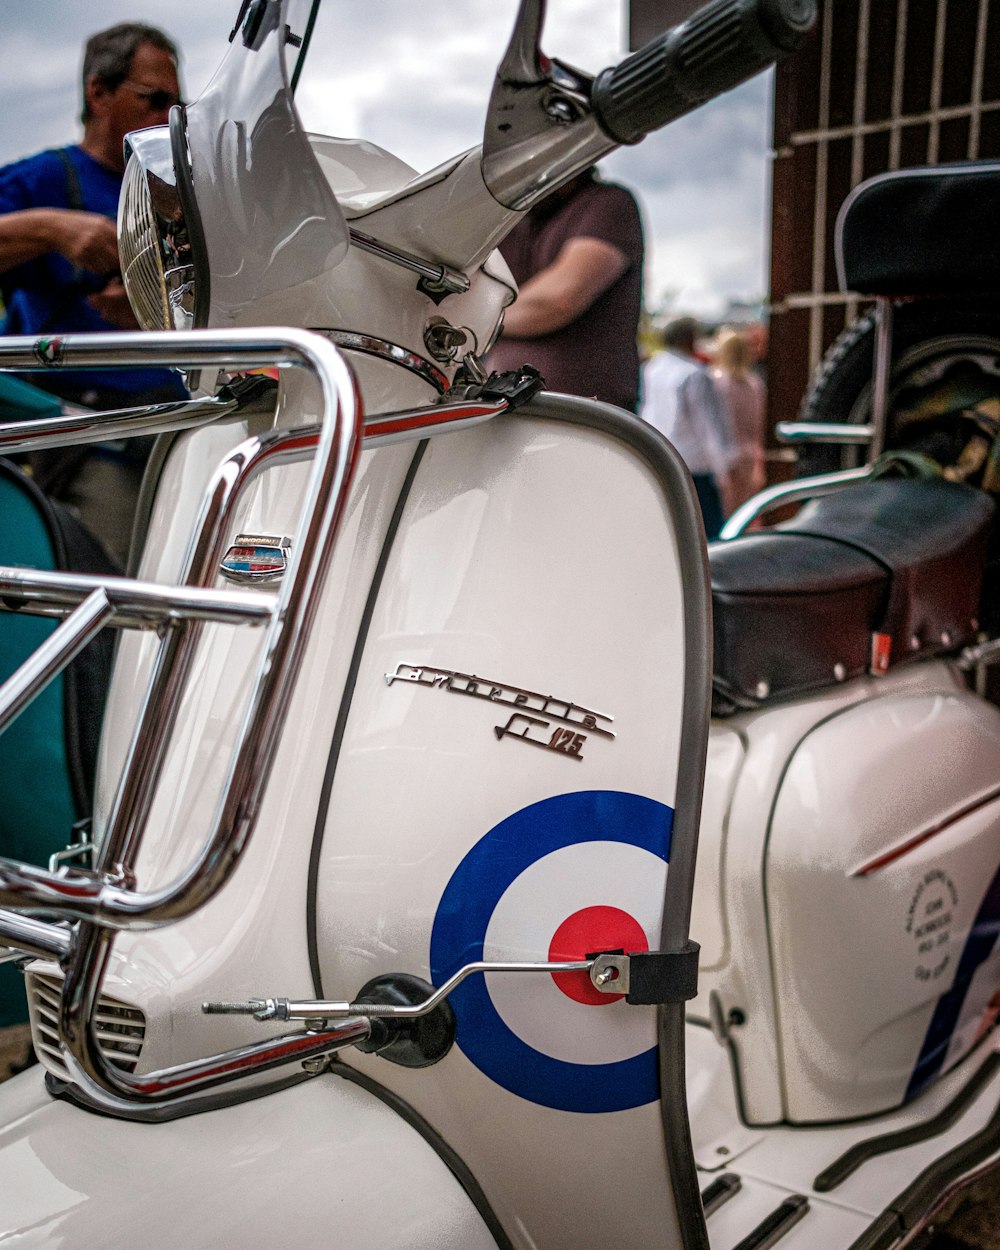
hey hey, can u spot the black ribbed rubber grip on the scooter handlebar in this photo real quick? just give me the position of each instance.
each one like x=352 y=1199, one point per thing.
x=718 y=48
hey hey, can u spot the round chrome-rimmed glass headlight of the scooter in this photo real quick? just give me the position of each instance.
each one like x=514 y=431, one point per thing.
x=154 y=241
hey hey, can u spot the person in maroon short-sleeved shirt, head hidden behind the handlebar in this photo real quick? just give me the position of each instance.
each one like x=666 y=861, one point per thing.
x=578 y=262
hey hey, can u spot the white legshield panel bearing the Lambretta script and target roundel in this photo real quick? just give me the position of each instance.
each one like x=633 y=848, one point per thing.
x=534 y=589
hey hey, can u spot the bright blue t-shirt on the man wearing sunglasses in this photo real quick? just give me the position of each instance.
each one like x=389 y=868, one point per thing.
x=47 y=296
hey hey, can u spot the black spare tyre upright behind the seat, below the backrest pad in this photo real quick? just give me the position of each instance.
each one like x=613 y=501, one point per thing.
x=931 y=338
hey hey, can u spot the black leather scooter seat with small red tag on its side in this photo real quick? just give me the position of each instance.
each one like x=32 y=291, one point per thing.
x=892 y=569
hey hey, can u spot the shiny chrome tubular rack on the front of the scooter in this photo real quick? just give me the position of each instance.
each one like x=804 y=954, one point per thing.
x=92 y=906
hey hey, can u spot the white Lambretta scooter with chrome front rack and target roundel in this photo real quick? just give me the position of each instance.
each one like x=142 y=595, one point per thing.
x=384 y=933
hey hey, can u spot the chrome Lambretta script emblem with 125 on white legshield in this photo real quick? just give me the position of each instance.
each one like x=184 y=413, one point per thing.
x=537 y=719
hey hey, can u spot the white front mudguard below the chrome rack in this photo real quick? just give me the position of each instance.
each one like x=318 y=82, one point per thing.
x=301 y=1169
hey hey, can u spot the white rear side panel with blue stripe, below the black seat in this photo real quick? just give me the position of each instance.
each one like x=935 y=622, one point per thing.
x=884 y=844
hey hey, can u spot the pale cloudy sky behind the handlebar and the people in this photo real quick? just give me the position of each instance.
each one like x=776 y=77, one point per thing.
x=416 y=79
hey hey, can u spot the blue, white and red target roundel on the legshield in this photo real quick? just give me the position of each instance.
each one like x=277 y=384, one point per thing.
x=558 y=881
